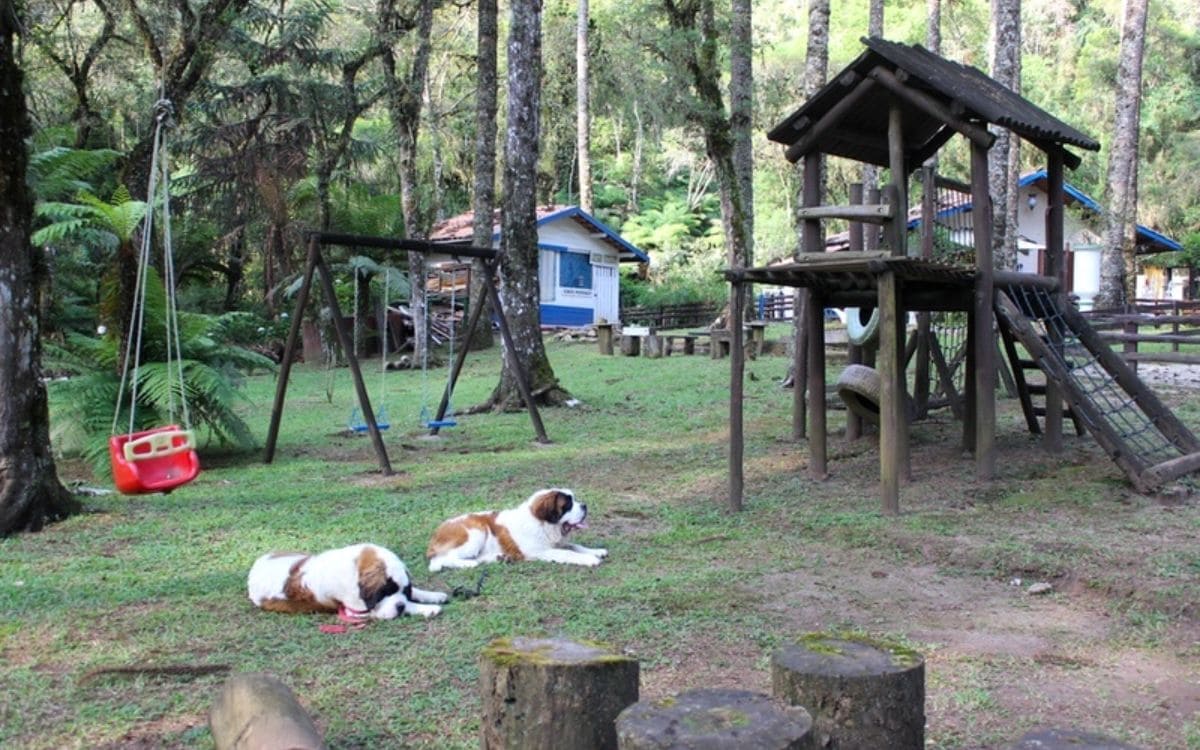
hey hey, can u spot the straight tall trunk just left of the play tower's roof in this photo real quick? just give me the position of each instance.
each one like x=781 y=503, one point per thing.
x=742 y=112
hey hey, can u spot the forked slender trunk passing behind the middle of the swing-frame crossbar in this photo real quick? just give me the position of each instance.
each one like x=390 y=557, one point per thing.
x=405 y=106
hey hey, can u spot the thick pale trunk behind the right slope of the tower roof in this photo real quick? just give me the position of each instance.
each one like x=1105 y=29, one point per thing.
x=1003 y=160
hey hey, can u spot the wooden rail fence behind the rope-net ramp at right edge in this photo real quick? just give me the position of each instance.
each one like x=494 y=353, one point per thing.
x=1129 y=327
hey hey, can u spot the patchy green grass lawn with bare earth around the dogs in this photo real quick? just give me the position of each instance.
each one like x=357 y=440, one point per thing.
x=700 y=597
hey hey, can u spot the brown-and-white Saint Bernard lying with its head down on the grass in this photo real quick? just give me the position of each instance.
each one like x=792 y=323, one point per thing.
x=358 y=583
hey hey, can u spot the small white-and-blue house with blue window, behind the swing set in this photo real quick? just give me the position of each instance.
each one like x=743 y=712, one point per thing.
x=578 y=262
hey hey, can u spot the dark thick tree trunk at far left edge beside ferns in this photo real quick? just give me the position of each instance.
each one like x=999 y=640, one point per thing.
x=31 y=493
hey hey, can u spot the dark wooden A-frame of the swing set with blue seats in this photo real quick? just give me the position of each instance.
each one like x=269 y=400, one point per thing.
x=316 y=266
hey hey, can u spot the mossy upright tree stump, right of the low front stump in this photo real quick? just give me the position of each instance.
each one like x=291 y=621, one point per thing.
x=861 y=693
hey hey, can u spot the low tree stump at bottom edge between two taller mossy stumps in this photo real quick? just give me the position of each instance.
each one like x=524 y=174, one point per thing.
x=715 y=719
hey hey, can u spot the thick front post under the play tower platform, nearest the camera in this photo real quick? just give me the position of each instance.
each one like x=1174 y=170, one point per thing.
x=892 y=394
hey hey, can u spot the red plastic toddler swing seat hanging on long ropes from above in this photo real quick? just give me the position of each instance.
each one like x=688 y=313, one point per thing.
x=163 y=459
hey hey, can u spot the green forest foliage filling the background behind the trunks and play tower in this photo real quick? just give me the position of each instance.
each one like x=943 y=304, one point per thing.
x=263 y=129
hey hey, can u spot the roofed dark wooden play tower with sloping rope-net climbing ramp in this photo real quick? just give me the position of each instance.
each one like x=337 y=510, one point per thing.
x=896 y=107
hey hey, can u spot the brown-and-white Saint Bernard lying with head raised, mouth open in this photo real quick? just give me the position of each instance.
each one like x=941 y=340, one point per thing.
x=535 y=531
